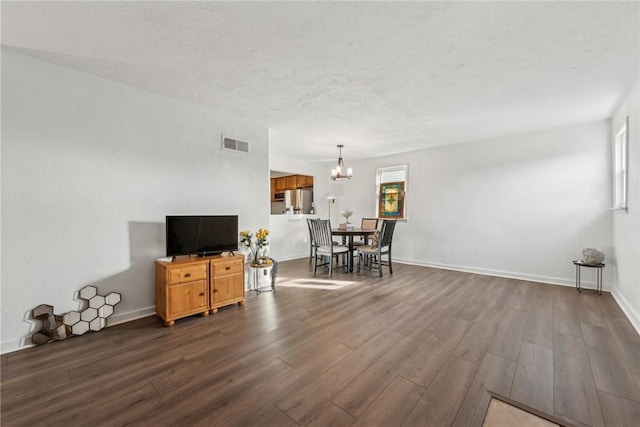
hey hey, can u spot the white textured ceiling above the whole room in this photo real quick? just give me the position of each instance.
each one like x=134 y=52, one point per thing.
x=378 y=77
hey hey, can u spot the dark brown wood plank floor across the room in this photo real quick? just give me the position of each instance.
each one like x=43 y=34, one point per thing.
x=419 y=347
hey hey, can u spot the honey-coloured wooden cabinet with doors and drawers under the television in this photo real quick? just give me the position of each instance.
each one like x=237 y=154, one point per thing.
x=190 y=285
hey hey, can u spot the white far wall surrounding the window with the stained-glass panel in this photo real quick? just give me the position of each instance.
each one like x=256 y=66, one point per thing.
x=522 y=206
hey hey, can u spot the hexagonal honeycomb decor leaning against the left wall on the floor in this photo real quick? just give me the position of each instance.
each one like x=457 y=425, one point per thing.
x=91 y=318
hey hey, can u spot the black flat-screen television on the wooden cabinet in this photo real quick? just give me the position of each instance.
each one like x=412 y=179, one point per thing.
x=201 y=234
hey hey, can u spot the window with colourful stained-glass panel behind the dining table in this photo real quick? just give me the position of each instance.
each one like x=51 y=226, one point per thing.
x=391 y=187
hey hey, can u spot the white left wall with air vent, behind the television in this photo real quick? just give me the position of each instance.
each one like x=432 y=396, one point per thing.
x=90 y=168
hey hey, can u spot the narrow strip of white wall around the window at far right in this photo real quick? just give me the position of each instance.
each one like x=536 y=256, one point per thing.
x=626 y=225
